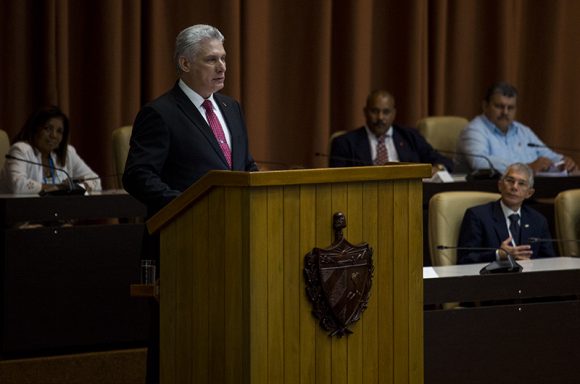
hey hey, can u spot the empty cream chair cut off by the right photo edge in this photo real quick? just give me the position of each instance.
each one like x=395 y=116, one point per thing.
x=567 y=218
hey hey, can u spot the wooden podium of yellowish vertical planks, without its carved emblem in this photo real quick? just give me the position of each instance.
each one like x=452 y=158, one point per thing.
x=232 y=292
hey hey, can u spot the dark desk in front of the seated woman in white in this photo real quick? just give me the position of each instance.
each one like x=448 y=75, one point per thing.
x=65 y=288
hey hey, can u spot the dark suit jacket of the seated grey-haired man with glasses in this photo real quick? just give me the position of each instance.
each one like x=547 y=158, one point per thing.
x=485 y=226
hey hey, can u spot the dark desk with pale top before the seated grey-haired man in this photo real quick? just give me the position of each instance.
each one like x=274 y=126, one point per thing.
x=530 y=333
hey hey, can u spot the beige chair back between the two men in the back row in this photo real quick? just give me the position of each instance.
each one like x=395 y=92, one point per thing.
x=442 y=131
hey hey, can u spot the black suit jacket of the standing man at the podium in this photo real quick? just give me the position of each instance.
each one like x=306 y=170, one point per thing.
x=172 y=146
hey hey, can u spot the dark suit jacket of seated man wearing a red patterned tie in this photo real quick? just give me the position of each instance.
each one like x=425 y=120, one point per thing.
x=353 y=149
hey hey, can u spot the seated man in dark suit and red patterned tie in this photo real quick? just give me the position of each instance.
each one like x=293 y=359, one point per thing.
x=379 y=141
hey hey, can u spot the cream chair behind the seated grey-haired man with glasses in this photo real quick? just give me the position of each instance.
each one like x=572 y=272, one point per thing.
x=446 y=210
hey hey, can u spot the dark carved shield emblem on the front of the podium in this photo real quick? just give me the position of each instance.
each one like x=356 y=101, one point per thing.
x=338 y=280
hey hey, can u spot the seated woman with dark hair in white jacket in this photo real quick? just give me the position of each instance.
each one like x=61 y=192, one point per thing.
x=44 y=140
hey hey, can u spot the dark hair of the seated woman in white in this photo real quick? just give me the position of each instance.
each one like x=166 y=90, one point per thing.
x=37 y=121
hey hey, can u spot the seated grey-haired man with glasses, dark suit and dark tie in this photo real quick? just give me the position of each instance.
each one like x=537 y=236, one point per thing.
x=506 y=224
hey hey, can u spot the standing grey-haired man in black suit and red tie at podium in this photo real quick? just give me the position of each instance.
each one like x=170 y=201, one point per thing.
x=182 y=135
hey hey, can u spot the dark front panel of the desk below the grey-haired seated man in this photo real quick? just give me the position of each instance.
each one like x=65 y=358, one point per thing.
x=526 y=343
